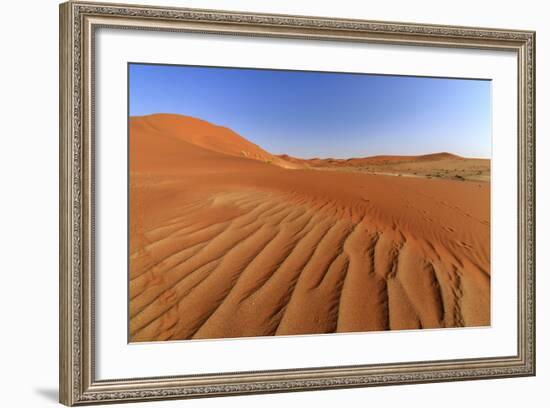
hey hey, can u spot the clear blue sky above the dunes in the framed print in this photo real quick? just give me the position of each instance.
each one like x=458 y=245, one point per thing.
x=318 y=114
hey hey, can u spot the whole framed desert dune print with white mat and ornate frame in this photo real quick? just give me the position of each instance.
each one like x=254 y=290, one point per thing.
x=256 y=203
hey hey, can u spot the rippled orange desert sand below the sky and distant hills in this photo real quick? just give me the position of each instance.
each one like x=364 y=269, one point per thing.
x=224 y=244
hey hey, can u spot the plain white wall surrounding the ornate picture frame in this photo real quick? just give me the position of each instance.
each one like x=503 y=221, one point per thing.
x=29 y=194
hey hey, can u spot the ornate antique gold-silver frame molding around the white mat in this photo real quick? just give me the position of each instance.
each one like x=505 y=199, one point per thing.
x=78 y=23
